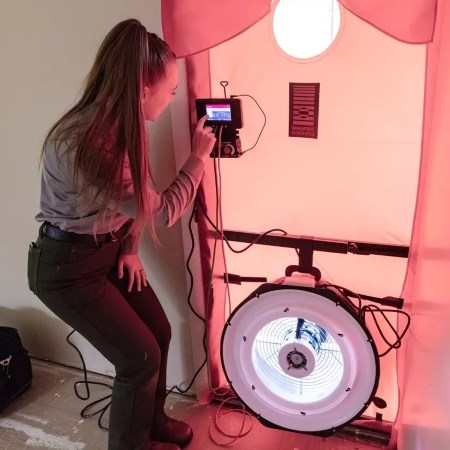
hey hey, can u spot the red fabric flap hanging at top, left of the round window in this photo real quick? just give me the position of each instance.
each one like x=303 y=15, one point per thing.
x=191 y=26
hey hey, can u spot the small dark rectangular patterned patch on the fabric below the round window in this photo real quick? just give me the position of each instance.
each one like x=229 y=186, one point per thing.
x=304 y=109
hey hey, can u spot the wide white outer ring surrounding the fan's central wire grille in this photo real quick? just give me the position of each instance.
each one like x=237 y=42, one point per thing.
x=346 y=399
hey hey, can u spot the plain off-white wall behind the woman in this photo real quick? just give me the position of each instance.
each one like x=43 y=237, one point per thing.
x=46 y=50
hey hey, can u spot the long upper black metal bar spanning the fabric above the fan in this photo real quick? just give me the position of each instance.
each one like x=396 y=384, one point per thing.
x=318 y=244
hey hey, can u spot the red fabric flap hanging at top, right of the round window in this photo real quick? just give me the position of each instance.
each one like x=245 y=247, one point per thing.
x=406 y=20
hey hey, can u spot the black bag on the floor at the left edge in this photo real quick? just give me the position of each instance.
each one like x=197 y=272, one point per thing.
x=15 y=366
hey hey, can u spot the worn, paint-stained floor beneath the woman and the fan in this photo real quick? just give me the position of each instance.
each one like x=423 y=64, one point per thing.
x=48 y=416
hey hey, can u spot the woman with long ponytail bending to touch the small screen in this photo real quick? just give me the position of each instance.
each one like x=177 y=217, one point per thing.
x=96 y=197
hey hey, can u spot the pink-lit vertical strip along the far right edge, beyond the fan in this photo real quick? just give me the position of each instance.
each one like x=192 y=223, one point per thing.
x=424 y=371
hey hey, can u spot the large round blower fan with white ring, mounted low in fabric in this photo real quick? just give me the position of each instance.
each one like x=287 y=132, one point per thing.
x=300 y=358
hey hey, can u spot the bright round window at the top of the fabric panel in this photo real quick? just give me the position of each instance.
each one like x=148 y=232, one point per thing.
x=306 y=28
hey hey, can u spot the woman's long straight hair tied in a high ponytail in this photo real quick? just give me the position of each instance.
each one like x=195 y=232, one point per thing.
x=109 y=115
